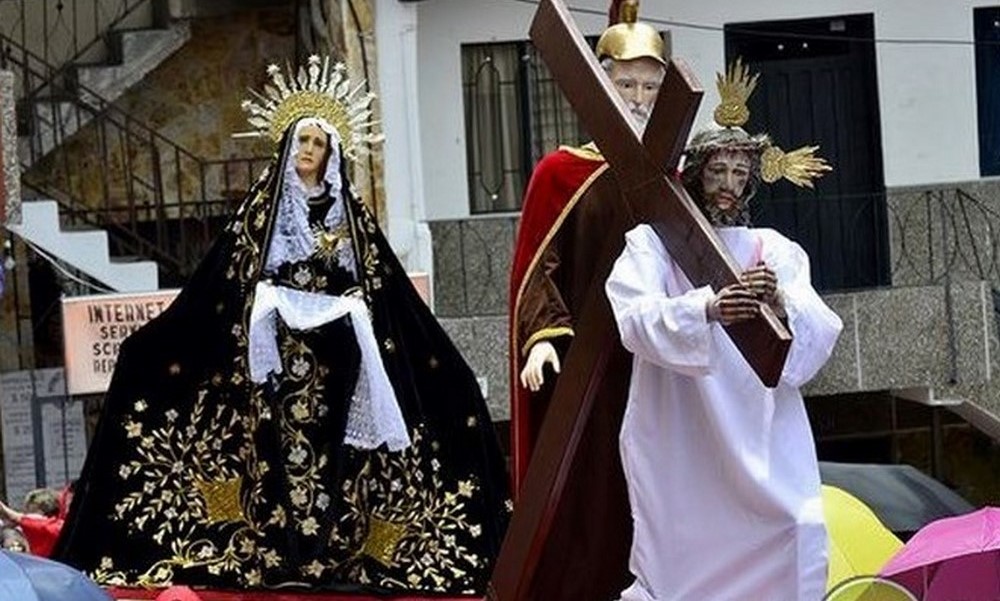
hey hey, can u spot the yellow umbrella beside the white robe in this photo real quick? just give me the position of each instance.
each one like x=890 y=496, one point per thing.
x=859 y=545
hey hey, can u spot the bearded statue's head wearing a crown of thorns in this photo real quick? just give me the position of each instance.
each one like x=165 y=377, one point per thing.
x=722 y=173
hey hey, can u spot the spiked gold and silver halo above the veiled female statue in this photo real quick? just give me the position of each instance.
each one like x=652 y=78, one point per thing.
x=321 y=90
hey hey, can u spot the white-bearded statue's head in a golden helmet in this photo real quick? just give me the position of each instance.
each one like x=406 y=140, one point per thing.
x=634 y=56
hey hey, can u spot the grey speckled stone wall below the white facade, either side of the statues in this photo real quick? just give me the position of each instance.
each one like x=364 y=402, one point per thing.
x=934 y=329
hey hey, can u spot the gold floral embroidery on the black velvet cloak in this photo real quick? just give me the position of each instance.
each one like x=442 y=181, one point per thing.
x=195 y=485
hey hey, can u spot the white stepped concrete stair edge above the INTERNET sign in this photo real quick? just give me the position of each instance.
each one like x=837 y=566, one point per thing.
x=85 y=250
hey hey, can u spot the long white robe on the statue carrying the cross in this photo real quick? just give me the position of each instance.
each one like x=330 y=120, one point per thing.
x=722 y=474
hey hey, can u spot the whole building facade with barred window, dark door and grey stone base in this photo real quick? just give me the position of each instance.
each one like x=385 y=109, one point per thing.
x=920 y=325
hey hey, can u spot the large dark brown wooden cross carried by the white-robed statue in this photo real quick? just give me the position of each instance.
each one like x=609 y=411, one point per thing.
x=644 y=172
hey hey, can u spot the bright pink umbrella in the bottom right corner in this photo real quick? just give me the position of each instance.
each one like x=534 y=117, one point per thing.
x=952 y=559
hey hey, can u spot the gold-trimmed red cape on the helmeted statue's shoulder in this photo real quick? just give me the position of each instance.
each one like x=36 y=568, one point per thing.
x=555 y=181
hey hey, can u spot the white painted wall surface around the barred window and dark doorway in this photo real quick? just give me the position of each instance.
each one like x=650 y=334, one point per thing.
x=926 y=74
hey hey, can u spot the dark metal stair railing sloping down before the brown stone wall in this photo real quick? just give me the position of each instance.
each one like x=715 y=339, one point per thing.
x=156 y=198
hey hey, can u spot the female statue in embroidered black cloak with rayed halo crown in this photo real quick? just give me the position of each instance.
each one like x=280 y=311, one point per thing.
x=297 y=417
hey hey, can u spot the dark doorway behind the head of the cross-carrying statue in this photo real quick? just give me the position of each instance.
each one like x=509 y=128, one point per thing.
x=818 y=86
